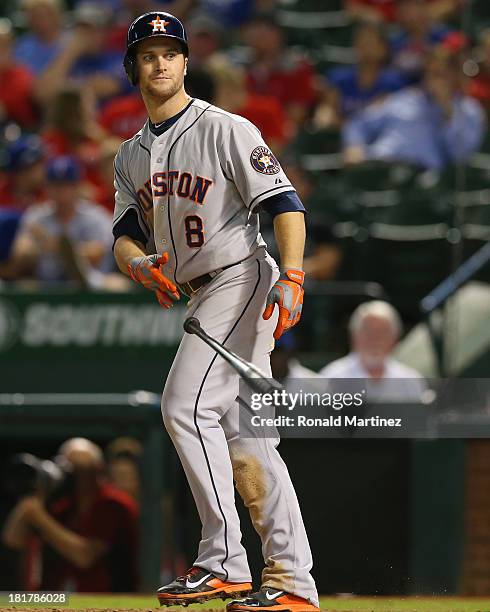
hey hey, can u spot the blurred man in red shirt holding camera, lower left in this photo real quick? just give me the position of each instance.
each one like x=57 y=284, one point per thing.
x=90 y=533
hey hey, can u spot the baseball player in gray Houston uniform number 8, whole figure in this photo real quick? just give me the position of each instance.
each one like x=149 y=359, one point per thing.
x=189 y=185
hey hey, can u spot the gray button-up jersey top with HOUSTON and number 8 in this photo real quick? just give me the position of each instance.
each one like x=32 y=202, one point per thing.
x=195 y=187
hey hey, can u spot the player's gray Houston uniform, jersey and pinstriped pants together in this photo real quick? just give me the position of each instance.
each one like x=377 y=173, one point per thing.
x=194 y=189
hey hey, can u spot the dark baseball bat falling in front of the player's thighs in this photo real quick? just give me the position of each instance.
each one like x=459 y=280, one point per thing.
x=255 y=378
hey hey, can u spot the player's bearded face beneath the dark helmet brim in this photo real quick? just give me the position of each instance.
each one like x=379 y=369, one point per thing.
x=161 y=67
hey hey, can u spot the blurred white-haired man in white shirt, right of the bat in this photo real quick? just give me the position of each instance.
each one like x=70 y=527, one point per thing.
x=375 y=327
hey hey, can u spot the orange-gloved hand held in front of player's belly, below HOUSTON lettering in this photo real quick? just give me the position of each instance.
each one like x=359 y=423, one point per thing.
x=148 y=271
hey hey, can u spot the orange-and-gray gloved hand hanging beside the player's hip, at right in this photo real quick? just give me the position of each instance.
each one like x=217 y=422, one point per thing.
x=287 y=293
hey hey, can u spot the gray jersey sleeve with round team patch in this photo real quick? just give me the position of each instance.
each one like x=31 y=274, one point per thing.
x=248 y=162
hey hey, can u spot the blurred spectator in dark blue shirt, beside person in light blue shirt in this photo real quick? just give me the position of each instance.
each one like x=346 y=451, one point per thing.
x=370 y=78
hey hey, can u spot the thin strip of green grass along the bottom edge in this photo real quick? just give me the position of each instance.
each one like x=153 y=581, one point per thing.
x=330 y=604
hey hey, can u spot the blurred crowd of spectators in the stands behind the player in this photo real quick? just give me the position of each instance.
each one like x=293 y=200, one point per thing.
x=331 y=84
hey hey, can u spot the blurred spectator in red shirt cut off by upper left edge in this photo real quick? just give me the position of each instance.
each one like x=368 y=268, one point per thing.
x=16 y=84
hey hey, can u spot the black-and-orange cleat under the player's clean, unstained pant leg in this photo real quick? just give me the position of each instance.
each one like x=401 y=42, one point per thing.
x=197 y=586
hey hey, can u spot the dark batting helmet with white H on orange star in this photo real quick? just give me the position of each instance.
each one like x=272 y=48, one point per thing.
x=156 y=23
